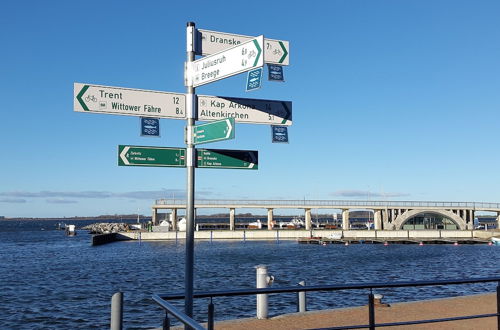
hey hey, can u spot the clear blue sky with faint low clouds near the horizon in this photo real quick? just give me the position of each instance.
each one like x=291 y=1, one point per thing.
x=391 y=100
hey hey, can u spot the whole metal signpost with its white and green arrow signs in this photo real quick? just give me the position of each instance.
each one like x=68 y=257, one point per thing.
x=229 y=54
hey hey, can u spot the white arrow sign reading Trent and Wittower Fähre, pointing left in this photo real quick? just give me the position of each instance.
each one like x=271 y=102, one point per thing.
x=129 y=102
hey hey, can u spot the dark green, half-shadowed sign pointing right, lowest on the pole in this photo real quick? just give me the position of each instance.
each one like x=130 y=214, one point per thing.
x=219 y=158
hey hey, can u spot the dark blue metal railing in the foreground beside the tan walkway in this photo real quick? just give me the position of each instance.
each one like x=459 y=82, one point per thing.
x=162 y=300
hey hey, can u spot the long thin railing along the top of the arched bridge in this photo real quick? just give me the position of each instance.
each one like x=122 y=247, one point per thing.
x=335 y=204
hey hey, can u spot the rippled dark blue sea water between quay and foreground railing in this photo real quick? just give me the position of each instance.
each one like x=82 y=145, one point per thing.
x=52 y=281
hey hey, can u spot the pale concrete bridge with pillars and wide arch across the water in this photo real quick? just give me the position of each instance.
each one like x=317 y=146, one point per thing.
x=387 y=215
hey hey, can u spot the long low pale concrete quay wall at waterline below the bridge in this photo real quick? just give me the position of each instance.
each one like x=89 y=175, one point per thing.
x=296 y=234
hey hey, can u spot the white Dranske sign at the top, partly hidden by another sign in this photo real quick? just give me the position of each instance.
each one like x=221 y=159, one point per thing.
x=210 y=42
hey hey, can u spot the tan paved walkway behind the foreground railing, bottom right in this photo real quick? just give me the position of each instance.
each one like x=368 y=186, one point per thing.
x=410 y=311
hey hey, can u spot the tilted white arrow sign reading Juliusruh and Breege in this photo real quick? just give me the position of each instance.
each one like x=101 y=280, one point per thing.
x=232 y=61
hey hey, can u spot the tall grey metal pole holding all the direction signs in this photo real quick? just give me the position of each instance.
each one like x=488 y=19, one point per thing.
x=191 y=111
